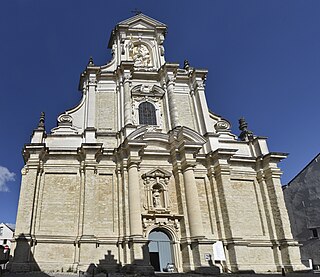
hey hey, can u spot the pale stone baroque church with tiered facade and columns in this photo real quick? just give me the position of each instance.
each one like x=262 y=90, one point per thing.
x=141 y=175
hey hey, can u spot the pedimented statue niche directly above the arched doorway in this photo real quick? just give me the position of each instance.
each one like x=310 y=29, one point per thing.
x=156 y=191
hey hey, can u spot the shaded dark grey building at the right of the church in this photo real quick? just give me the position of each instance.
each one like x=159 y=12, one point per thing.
x=302 y=198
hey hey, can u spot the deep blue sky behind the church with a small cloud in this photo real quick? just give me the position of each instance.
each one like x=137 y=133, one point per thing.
x=263 y=59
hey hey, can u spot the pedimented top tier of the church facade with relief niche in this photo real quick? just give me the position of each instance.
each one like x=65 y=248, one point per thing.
x=139 y=39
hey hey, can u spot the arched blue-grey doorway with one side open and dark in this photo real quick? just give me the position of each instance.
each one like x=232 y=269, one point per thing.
x=160 y=250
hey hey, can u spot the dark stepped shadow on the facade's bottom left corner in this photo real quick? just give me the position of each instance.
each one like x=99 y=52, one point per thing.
x=23 y=260
